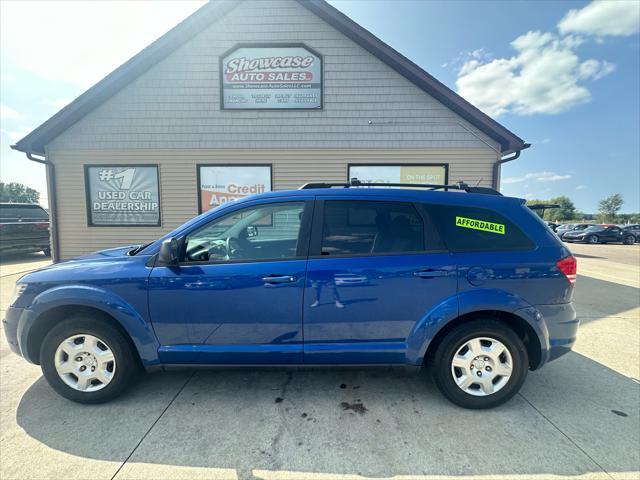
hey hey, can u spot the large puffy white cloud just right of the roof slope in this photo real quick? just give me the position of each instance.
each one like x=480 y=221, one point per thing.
x=545 y=76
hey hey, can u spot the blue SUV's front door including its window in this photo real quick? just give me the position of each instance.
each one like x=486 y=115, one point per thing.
x=236 y=295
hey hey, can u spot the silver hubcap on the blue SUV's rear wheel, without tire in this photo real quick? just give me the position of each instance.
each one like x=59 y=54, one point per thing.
x=482 y=366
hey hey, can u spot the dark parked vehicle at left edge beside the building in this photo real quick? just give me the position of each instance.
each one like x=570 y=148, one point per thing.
x=24 y=228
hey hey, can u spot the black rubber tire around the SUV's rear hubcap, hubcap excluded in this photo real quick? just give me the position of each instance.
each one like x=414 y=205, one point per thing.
x=455 y=339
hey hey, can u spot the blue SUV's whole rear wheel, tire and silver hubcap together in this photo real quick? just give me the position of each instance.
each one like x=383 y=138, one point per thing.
x=480 y=364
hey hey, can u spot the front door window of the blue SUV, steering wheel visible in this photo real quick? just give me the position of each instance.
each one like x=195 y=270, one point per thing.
x=262 y=232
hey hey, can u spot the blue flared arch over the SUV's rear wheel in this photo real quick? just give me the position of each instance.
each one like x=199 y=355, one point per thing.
x=467 y=302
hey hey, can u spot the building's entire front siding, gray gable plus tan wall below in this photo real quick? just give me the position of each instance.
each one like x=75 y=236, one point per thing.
x=171 y=116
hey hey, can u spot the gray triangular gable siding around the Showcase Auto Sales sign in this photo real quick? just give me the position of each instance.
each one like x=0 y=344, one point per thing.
x=176 y=104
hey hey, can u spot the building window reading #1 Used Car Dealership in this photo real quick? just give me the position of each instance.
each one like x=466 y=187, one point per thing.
x=122 y=195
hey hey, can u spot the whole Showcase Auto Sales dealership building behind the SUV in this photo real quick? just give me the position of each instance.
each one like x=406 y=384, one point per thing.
x=246 y=96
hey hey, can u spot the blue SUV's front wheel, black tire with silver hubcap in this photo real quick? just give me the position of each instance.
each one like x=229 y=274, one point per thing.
x=88 y=360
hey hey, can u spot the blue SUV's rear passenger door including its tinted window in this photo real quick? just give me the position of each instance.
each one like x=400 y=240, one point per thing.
x=375 y=269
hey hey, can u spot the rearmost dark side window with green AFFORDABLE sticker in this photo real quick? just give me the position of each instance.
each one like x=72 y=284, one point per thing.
x=471 y=229
